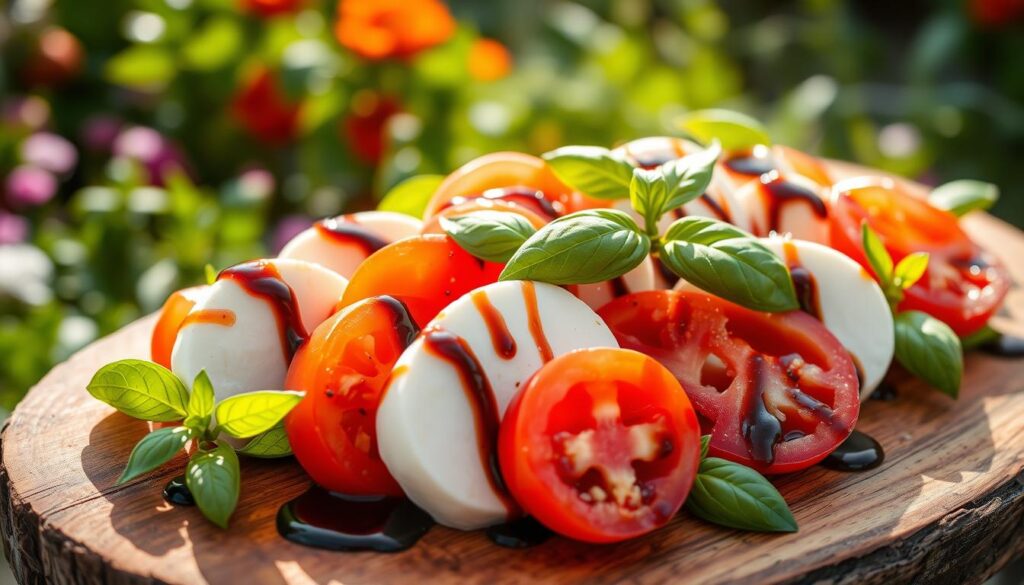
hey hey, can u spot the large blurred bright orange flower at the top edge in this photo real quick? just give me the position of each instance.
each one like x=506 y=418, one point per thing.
x=385 y=29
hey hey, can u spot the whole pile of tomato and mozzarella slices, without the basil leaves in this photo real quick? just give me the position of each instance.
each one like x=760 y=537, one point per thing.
x=483 y=400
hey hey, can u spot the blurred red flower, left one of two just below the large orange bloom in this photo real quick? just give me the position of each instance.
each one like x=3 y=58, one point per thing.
x=265 y=111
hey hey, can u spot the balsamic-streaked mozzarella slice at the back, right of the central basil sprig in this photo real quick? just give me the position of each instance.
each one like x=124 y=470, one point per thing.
x=786 y=204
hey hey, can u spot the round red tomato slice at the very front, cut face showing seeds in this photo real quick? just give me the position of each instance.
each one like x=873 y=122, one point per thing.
x=601 y=445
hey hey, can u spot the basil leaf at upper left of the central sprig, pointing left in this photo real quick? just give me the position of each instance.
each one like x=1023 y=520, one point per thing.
x=593 y=171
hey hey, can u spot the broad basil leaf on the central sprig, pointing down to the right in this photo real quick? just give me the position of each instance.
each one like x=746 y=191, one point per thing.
x=729 y=263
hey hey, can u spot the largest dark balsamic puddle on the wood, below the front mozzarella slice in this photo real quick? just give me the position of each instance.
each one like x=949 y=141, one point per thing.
x=333 y=522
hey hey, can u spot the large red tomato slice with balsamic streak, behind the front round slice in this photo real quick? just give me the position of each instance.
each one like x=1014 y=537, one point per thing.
x=776 y=392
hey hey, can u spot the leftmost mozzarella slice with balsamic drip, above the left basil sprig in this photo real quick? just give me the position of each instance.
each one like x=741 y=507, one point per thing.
x=237 y=336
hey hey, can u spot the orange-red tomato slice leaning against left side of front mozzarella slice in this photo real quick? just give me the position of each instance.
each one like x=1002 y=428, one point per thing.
x=344 y=368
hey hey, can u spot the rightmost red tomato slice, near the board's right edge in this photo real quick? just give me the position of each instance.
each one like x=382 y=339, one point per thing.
x=964 y=285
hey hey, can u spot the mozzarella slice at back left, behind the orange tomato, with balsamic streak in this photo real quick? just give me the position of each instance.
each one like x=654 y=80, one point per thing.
x=343 y=243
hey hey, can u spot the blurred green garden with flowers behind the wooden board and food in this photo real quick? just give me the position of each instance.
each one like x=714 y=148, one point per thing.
x=142 y=140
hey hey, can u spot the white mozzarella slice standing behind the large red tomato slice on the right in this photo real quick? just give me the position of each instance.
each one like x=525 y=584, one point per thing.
x=850 y=303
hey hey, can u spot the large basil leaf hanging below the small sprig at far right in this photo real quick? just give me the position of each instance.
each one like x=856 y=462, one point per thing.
x=930 y=350
